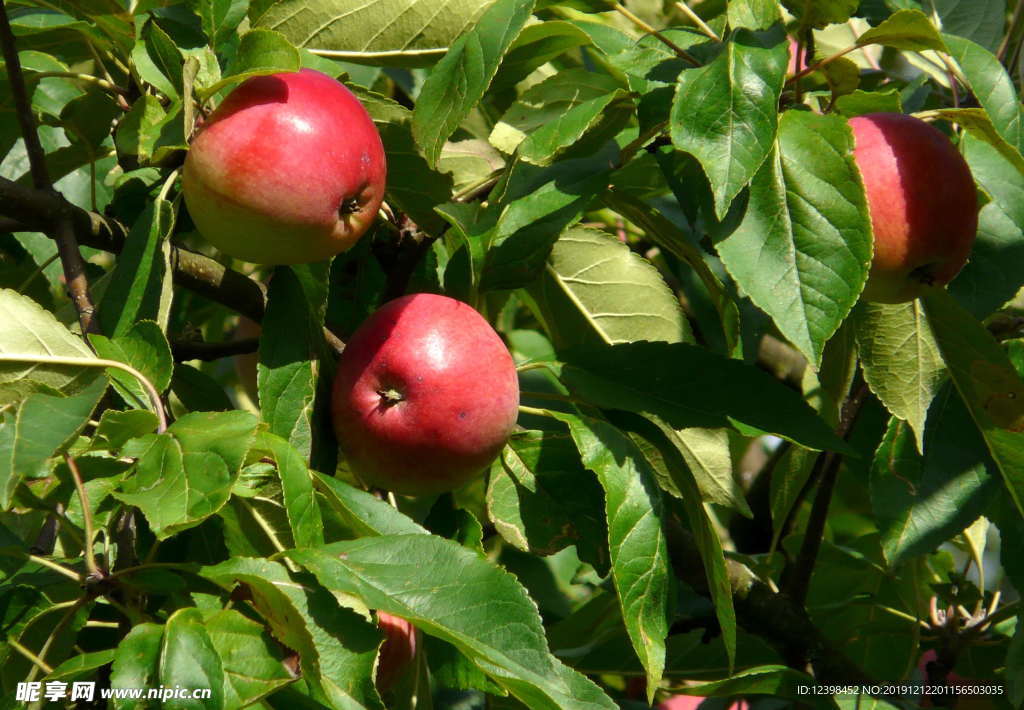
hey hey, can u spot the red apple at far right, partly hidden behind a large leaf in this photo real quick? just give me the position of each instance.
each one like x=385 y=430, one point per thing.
x=923 y=204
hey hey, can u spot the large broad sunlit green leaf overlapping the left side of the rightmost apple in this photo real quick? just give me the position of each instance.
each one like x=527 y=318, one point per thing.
x=804 y=246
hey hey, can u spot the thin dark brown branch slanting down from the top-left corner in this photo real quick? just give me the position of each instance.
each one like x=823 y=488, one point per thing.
x=62 y=230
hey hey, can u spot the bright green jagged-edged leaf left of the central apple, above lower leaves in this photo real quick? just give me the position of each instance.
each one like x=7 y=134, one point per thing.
x=186 y=475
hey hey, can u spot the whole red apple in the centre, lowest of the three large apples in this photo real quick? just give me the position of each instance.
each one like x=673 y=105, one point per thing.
x=425 y=396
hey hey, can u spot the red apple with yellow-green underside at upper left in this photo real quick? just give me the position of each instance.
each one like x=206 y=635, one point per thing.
x=289 y=170
